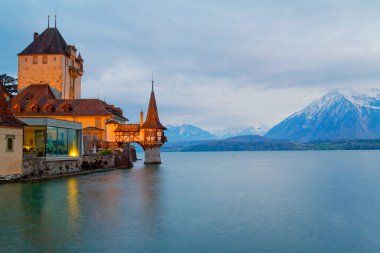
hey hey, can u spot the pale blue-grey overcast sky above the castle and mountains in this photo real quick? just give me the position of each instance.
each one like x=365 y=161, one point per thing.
x=217 y=63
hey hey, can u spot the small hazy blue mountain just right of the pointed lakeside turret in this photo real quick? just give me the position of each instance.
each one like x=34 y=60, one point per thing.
x=185 y=132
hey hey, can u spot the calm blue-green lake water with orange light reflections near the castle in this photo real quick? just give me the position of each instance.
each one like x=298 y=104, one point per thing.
x=323 y=201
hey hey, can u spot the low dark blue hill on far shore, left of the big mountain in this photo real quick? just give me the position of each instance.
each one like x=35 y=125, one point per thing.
x=244 y=143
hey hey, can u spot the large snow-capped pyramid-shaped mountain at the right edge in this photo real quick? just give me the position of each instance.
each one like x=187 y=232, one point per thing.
x=340 y=114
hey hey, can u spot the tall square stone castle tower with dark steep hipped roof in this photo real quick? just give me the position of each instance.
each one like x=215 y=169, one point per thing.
x=50 y=60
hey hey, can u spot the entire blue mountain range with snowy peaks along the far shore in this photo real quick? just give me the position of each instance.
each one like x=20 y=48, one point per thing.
x=341 y=119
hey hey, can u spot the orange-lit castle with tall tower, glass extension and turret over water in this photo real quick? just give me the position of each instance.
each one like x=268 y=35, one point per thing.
x=49 y=87
